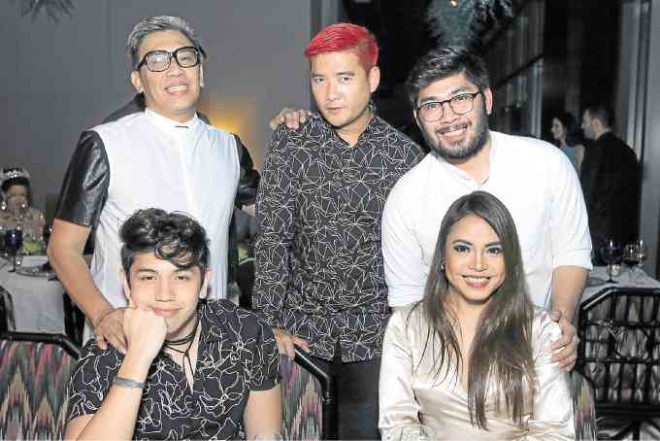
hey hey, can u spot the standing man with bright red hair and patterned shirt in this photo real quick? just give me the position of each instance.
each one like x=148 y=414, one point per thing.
x=319 y=267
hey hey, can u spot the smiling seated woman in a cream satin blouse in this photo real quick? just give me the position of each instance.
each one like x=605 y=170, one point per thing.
x=471 y=360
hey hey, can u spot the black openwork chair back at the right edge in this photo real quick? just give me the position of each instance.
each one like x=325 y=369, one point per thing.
x=619 y=353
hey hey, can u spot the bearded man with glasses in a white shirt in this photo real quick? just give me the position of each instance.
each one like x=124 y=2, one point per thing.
x=450 y=93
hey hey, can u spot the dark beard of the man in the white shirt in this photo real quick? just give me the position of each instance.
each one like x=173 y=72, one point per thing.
x=461 y=150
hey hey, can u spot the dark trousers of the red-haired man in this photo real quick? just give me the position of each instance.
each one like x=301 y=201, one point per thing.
x=357 y=397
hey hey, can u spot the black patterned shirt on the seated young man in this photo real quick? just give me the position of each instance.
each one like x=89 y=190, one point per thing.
x=236 y=354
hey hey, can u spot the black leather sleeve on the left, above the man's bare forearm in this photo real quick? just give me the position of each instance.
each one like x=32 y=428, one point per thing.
x=85 y=187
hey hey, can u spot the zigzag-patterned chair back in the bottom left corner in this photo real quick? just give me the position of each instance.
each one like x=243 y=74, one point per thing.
x=34 y=372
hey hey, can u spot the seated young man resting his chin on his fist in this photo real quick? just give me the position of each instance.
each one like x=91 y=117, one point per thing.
x=193 y=369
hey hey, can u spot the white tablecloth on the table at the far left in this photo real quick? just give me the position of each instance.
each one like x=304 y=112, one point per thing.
x=36 y=302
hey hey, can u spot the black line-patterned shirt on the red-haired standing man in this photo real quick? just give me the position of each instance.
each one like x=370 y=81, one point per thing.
x=319 y=267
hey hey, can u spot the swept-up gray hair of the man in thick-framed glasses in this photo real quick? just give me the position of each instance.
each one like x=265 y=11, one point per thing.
x=158 y=24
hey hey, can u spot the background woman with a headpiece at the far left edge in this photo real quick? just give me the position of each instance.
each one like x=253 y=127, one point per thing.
x=15 y=210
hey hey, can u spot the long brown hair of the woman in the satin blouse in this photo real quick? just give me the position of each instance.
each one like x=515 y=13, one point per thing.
x=501 y=359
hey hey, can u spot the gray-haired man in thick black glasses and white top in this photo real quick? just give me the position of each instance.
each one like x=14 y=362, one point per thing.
x=164 y=156
